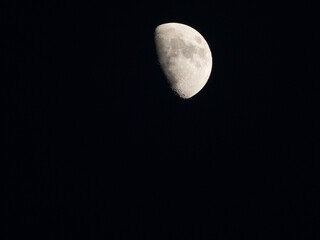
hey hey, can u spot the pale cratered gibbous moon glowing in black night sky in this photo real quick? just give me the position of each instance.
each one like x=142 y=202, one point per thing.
x=184 y=57
